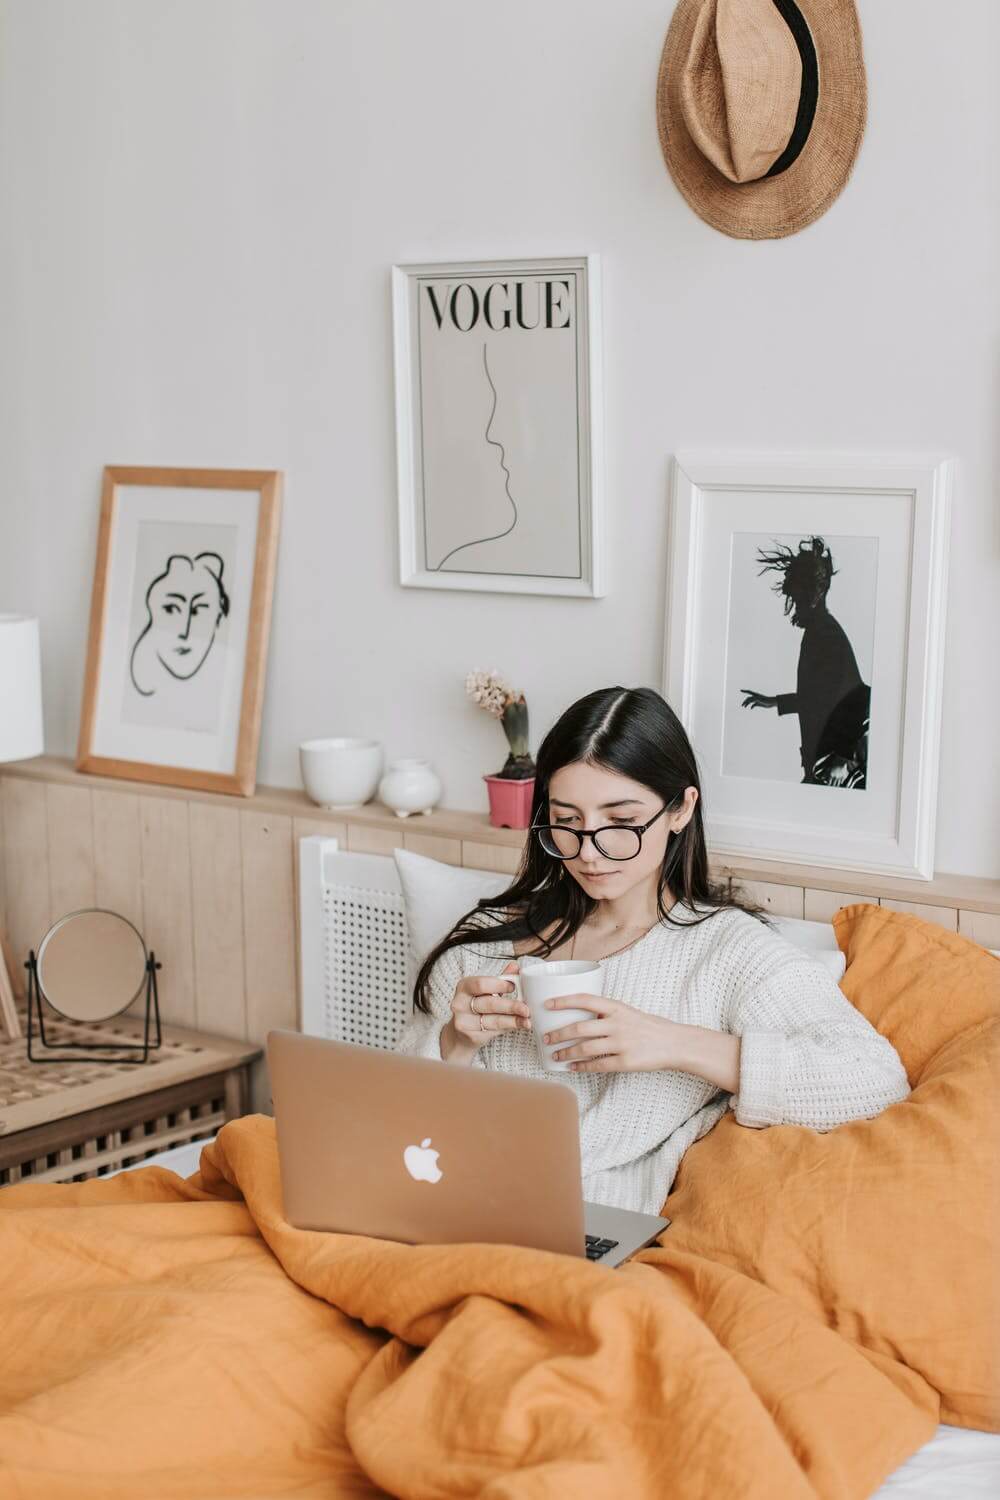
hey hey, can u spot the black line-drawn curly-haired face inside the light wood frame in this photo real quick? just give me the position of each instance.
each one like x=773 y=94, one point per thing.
x=185 y=607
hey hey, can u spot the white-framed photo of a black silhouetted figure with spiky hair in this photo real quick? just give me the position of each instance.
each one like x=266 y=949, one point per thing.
x=804 y=652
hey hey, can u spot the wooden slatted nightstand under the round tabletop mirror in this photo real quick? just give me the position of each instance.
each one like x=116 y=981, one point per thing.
x=71 y=1121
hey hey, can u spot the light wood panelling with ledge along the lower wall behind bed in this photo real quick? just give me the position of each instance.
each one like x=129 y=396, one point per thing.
x=212 y=886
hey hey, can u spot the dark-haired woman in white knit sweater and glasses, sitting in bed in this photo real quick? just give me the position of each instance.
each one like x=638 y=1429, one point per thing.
x=704 y=1007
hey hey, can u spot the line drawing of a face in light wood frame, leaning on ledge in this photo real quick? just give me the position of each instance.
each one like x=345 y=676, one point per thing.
x=179 y=626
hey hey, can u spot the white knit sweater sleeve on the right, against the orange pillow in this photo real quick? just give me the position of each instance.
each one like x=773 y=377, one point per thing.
x=807 y=1055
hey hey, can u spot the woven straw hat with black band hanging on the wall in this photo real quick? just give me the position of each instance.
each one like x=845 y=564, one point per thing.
x=762 y=109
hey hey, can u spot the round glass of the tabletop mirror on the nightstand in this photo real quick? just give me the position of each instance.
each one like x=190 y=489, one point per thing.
x=92 y=965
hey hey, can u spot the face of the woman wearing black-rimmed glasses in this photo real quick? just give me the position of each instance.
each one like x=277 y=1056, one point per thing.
x=590 y=797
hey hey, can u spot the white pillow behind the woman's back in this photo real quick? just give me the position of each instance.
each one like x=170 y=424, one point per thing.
x=439 y=895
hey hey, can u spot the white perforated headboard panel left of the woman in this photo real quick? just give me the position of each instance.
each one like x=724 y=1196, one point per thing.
x=353 y=946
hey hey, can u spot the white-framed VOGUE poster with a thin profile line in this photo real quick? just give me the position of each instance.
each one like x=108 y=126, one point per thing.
x=499 y=425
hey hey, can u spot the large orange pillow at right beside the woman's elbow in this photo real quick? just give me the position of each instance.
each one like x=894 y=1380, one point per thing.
x=887 y=1229
